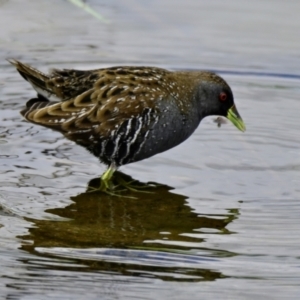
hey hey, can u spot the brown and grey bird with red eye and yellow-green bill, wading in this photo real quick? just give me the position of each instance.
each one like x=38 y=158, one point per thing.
x=124 y=114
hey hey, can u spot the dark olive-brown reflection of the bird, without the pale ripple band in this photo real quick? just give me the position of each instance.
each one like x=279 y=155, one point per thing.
x=158 y=220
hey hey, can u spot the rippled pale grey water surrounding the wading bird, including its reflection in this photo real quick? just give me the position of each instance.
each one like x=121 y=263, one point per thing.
x=224 y=224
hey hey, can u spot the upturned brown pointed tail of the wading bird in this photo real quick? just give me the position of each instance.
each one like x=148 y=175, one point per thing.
x=35 y=77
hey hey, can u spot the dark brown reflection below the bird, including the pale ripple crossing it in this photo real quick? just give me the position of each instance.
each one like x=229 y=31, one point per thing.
x=126 y=233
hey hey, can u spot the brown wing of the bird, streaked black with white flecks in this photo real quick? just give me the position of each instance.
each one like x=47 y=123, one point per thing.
x=104 y=101
